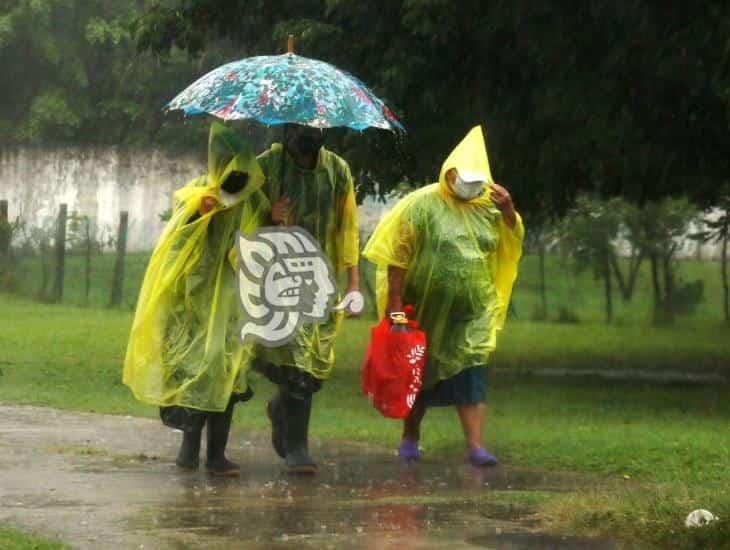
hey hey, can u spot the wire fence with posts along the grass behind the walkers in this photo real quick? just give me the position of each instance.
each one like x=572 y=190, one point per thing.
x=72 y=261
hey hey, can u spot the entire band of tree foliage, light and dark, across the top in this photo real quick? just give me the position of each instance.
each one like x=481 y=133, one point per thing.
x=563 y=90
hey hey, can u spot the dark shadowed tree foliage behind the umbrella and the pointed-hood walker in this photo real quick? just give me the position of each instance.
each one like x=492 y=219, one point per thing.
x=623 y=98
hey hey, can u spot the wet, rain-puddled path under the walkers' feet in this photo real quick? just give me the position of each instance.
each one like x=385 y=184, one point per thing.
x=124 y=493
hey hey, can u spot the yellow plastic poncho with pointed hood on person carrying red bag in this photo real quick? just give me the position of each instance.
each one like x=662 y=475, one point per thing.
x=460 y=260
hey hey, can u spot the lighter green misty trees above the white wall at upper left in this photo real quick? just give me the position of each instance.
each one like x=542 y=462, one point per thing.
x=77 y=76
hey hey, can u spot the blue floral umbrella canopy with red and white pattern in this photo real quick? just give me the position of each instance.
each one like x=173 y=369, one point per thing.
x=284 y=89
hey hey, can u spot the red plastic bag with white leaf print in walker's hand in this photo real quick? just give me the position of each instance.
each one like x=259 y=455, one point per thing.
x=392 y=373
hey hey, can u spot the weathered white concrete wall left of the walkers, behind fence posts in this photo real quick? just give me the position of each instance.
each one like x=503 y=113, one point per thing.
x=96 y=182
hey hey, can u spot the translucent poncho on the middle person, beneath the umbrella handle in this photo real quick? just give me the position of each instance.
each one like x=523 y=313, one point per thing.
x=323 y=203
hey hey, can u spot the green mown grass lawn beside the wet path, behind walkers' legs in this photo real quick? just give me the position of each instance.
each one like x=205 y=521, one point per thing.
x=655 y=452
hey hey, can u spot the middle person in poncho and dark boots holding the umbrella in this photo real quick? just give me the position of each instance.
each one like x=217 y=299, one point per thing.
x=310 y=187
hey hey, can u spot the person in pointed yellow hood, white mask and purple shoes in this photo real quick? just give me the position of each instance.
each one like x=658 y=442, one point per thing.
x=451 y=250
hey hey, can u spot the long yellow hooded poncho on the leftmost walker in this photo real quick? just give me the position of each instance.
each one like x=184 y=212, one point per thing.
x=184 y=348
